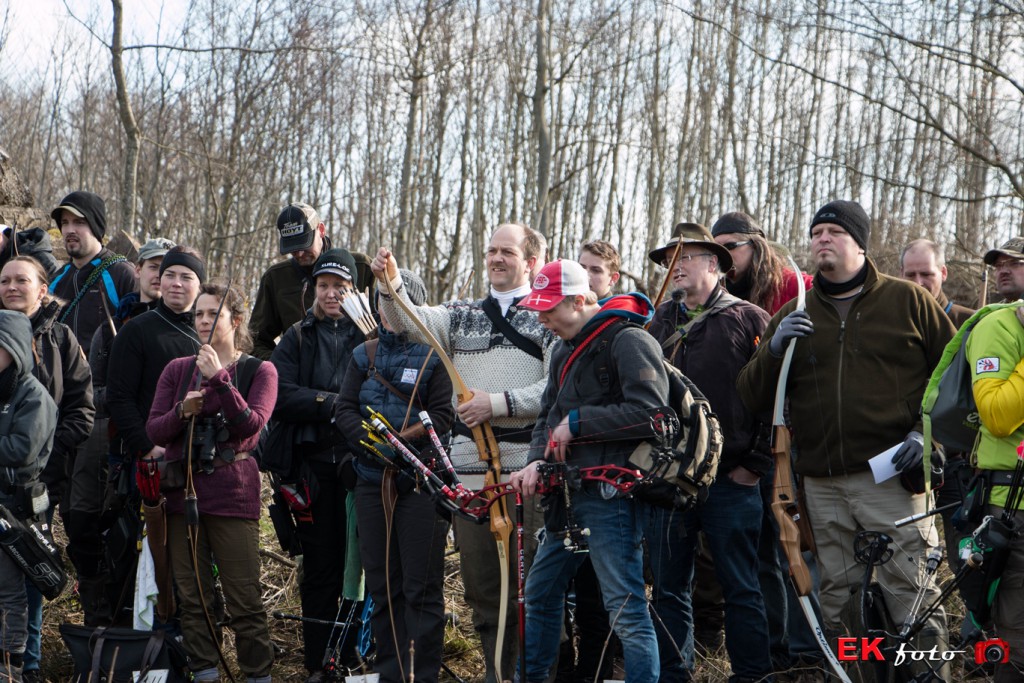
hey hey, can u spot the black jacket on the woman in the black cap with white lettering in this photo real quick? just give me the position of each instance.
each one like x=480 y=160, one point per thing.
x=306 y=375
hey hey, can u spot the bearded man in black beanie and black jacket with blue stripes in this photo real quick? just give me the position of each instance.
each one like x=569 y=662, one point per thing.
x=96 y=280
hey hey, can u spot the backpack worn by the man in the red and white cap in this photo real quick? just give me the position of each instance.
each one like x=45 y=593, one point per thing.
x=682 y=471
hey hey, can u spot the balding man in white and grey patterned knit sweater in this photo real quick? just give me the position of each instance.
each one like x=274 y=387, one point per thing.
x=502 y=353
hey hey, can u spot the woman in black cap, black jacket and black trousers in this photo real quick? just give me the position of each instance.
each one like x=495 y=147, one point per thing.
x=312 y=360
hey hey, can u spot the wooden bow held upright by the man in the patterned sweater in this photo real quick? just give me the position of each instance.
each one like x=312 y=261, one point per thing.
x=487 y=447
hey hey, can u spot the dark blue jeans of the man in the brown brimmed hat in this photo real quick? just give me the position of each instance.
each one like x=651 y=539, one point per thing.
x=732 y=522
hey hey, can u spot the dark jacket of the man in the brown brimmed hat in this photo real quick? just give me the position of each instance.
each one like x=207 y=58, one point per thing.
x=714 y=352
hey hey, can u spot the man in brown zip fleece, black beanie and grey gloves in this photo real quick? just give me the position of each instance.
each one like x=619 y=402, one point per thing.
x=866 y=348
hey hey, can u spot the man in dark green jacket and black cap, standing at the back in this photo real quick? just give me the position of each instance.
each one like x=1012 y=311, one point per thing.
x=286 y=290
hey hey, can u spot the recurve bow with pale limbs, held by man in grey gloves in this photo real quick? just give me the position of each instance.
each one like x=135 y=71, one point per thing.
x=785 y=504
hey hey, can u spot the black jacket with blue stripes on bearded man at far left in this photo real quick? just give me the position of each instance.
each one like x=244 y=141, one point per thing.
x=90 y=314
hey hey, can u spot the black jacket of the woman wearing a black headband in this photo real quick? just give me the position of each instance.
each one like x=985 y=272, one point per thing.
x=140 y=354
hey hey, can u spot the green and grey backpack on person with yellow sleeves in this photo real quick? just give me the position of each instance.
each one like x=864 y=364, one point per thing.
x=949 y=411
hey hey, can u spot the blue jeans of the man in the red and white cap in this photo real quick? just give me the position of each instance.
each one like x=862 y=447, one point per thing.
x=616 y=533
